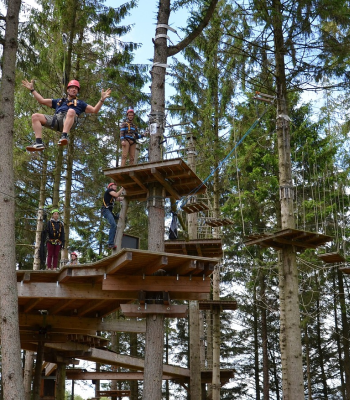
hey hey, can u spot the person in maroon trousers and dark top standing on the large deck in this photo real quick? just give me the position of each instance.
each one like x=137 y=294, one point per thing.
x=54 y=240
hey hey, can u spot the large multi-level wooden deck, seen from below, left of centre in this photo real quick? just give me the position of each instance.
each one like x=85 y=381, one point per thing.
x=97 y=289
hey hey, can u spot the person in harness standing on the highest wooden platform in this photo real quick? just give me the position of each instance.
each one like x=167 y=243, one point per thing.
x=128 y=136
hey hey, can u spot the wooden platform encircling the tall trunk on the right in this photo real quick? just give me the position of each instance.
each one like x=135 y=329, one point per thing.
x=301 y=240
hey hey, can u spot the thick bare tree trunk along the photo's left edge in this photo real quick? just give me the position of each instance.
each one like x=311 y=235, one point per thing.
x=12 y=377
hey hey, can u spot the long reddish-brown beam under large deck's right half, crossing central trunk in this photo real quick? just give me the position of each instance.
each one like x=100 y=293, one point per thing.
x=157 y=283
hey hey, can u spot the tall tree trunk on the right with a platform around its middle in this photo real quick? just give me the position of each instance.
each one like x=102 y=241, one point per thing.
x=290 y=336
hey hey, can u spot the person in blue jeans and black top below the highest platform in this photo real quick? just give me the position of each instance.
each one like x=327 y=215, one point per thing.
x=110 y=196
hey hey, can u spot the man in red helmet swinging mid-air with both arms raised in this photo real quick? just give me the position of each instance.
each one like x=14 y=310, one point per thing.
x=67 y=111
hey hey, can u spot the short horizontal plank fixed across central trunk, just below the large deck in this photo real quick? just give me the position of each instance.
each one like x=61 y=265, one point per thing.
x=169 y=311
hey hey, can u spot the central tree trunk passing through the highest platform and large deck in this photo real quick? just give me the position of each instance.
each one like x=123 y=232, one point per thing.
x=152 y=389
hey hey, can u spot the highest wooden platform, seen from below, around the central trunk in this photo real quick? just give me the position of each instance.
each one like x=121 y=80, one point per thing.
x=175 y=176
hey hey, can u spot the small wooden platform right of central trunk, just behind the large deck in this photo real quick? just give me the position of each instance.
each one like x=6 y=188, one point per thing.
x=198 y=247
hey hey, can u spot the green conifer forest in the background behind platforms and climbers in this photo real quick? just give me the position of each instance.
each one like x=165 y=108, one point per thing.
x=214 y=82
